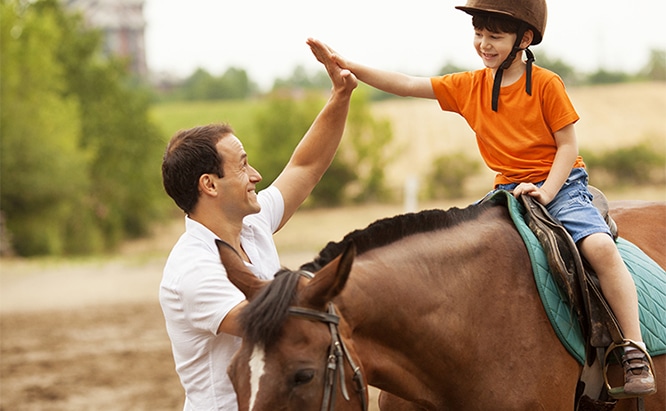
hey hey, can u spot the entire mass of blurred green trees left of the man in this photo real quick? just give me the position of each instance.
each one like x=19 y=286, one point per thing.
x=80 y=157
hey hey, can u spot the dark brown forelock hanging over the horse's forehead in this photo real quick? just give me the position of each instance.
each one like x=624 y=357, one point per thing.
x=263 y=318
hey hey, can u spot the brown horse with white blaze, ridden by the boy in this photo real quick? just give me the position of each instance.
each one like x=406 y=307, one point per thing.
x=439 y=310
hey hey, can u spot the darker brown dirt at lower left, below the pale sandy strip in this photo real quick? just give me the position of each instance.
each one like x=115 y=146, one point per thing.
x=109 y=357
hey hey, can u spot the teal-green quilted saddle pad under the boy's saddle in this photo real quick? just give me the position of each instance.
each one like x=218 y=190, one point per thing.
x=649 y=277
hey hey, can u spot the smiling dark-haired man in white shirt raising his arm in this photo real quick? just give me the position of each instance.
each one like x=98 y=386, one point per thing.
x=207 y=173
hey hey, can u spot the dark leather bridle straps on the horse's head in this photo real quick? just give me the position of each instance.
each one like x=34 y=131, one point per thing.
x=337 y=352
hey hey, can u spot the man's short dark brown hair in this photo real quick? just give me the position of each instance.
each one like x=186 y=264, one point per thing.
x=189 y=154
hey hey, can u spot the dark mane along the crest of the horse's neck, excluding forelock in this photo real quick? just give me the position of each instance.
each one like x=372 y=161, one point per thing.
x=388 y=230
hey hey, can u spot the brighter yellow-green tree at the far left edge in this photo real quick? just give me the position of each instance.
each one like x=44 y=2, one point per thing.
x=42 y=187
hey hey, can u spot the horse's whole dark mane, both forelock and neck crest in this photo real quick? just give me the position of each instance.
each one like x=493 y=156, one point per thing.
x=263 y=318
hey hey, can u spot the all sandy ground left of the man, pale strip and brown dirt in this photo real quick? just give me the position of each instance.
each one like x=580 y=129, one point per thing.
x=91 y=338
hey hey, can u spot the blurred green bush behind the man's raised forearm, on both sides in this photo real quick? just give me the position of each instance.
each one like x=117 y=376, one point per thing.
x=357 y=171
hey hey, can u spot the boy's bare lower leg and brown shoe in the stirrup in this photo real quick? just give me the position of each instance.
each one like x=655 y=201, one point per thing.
x=619 y=290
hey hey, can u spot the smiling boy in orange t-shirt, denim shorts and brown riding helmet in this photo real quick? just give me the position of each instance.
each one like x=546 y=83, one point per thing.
x=524 y=125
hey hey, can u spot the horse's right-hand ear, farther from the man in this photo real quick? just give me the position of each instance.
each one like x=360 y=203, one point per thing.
x=330 y=280
